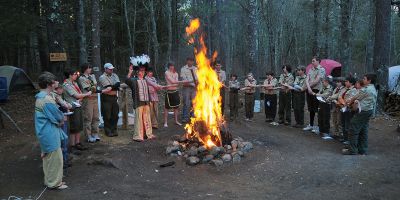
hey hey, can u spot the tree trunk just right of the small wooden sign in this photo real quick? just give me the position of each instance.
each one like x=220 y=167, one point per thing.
x=80 y=23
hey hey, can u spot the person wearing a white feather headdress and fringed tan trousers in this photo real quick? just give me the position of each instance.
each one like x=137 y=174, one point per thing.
x=141 y=98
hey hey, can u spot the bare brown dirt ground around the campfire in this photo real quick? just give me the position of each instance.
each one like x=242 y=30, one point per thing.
x=286 y=163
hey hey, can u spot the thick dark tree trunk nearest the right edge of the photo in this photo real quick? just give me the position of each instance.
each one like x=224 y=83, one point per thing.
x=382 y=47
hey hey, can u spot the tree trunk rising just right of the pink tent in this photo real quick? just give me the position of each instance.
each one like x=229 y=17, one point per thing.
x=345 y=53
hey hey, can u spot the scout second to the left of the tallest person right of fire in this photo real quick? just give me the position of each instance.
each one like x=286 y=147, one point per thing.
x=285 y=96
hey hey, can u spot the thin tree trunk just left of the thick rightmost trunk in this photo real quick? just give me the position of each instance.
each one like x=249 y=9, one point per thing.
x=369 y=55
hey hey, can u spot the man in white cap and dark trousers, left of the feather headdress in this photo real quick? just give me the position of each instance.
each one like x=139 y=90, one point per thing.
x=109 y=100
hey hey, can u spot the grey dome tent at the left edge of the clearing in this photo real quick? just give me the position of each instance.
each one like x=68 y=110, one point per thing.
x=17 y=79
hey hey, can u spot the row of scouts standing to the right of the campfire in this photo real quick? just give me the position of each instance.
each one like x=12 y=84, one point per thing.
x=330 y=103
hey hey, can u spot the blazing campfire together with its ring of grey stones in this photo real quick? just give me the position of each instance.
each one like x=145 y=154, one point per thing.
x=207 y=138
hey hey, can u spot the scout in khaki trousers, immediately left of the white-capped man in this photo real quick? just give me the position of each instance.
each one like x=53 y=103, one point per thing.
x=88 y=82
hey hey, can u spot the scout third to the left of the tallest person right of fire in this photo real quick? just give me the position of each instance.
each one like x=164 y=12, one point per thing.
x=270 y=102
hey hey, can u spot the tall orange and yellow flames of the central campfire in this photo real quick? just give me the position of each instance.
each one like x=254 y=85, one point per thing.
x=205 y=125
